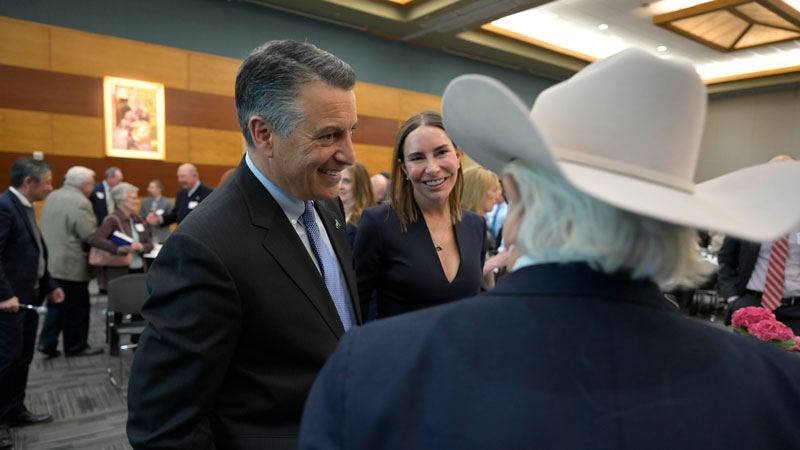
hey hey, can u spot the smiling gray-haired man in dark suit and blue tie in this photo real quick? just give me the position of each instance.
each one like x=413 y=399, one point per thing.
x=251 y=294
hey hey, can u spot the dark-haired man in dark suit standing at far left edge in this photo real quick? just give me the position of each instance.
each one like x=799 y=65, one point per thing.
x=24 y=280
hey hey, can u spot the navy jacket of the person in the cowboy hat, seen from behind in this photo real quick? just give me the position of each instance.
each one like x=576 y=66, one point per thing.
x=556 y=356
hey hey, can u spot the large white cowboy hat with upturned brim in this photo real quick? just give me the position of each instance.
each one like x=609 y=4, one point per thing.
x=625 y=130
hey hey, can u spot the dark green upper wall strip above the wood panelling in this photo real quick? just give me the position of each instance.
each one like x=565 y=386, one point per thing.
x=232 y=29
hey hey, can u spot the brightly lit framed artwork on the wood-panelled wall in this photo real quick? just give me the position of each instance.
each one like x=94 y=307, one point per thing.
x=134 y=118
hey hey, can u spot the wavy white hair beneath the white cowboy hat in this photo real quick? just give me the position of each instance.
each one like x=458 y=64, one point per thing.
x=562 y=224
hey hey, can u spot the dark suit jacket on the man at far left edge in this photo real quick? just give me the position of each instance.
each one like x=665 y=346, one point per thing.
x=20 y=255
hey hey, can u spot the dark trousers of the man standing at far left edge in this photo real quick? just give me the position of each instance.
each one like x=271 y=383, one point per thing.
x=17 y=341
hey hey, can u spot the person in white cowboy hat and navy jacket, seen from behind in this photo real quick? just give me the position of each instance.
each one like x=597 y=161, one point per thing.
x=577 y=347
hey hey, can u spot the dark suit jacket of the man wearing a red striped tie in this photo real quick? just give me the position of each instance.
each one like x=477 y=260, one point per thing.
x=737 y=259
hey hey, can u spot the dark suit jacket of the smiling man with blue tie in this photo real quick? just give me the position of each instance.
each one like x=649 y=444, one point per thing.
x=239 y=324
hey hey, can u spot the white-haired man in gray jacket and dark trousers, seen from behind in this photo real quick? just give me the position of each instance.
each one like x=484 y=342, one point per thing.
x=67 y=222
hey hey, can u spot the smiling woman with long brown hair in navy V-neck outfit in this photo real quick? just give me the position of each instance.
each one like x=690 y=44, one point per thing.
x=422 y=249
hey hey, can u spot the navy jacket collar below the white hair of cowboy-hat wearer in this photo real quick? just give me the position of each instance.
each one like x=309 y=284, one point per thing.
x=579 y=280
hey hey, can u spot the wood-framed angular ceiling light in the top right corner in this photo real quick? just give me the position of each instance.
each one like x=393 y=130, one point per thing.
x=728 y=25
